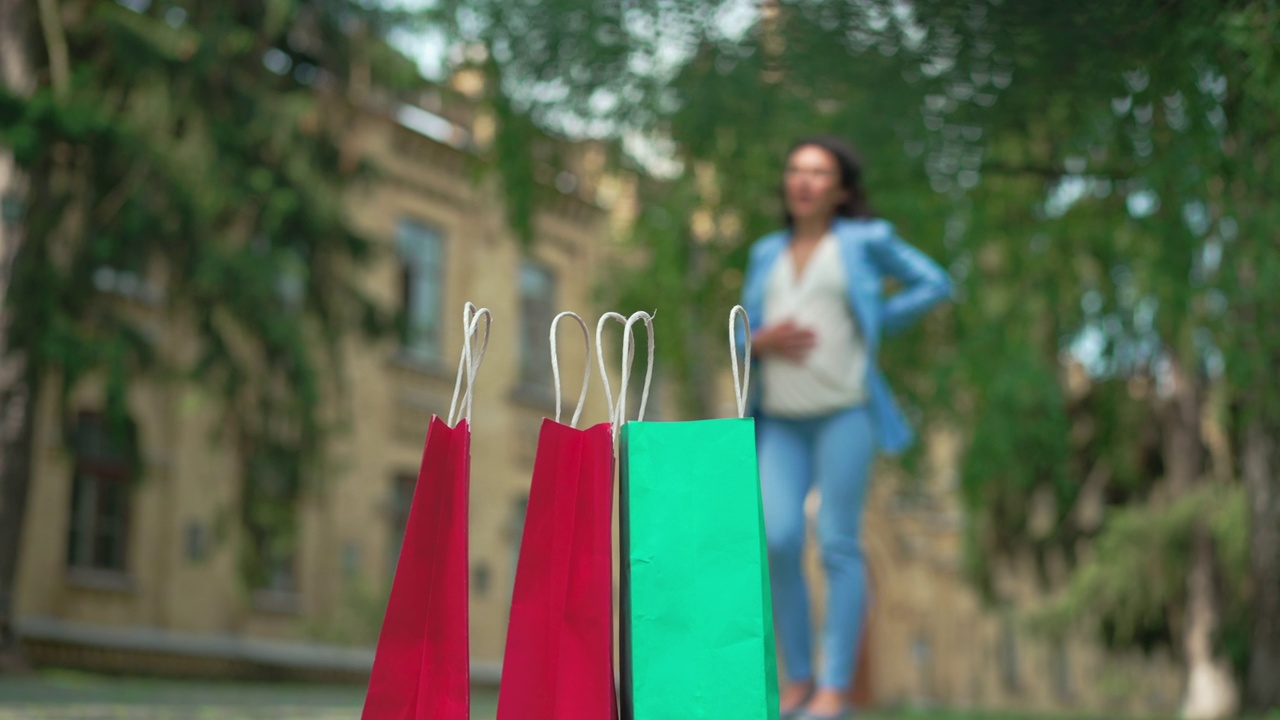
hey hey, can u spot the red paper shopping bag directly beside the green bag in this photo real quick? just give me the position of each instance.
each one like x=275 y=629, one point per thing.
x=559 y=662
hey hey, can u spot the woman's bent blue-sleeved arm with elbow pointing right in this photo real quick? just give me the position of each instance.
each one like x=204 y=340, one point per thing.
x=925 y=282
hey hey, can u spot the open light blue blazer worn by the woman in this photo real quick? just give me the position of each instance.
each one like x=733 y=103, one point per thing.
x=871 y=252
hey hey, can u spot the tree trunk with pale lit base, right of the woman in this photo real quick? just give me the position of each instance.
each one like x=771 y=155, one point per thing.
x=1212 y=689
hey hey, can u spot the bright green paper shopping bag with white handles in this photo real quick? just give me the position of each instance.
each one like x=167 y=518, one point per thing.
x=697 y=614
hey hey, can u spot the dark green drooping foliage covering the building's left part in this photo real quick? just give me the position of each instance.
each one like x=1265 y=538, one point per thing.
x=195 y=165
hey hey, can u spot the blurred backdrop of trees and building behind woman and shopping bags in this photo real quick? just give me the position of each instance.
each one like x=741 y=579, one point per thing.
x=236 y=240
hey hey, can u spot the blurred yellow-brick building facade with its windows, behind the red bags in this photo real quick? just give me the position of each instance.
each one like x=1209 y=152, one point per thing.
x=152 y=567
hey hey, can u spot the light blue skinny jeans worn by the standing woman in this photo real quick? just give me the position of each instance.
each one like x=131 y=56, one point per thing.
x=836 y=453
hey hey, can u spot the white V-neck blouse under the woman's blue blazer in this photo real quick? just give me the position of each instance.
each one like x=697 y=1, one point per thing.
x=833 y=377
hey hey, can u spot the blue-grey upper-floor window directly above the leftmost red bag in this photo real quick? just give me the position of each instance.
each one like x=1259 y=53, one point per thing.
x=422 y=250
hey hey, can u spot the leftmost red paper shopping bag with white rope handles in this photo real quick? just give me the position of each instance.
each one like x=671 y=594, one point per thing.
x=422 y=666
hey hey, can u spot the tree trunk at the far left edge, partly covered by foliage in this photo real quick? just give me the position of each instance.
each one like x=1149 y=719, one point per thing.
x=17 y=390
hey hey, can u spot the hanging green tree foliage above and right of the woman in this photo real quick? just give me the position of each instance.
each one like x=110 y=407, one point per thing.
x=1090 y=174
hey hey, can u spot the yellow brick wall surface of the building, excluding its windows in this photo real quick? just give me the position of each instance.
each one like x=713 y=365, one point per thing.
x=345 y=558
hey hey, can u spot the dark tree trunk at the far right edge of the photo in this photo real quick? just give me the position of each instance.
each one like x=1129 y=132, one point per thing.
x=1263 y=689
